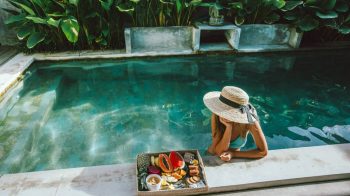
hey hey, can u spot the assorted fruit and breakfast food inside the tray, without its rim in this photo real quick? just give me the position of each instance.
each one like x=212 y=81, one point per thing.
x=170 y=171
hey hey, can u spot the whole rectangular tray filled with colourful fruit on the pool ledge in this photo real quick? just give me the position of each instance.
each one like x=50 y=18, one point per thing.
x=174 y=172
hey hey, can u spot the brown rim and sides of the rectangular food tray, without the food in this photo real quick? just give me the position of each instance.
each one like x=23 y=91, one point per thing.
x=183 y=191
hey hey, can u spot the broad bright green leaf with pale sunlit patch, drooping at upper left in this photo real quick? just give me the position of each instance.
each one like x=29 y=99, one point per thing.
x=70 y=28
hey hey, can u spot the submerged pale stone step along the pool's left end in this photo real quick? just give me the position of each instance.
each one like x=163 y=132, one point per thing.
x=23 y=122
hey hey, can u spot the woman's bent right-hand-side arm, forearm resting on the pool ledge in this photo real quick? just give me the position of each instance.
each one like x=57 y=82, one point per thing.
x=260 y=142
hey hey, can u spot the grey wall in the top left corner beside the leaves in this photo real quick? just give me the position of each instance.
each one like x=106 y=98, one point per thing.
x=7 y=36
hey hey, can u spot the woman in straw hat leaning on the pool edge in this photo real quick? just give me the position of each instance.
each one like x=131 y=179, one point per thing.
x=232 y=119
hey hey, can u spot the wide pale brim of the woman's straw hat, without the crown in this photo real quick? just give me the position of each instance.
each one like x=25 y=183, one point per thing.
x=211 y=100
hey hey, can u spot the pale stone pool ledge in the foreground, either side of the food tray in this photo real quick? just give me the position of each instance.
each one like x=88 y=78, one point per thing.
x=280 y=167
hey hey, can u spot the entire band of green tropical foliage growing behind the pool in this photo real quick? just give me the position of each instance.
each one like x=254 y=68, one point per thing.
x=99 y=24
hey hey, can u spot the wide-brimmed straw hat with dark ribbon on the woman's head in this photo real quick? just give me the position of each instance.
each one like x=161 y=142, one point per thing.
x=232 y=103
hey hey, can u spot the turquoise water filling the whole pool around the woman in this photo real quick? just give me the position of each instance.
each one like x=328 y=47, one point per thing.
x=93 y=112
